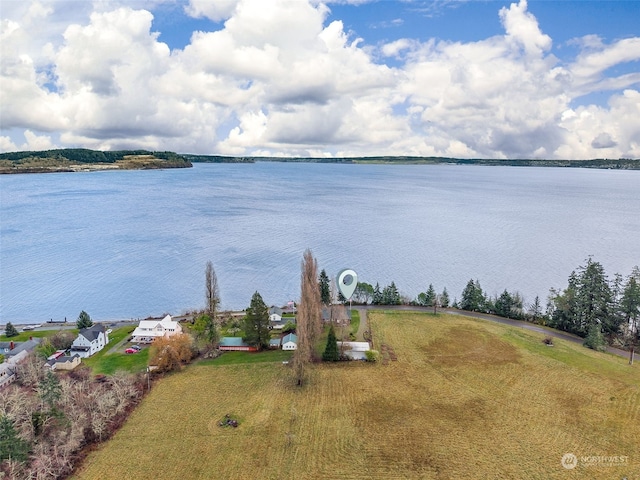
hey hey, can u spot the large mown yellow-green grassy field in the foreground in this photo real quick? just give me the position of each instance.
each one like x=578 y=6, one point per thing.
x=464 y=399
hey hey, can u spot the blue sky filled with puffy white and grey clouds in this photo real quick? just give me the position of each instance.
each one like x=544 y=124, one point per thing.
x=465 y=79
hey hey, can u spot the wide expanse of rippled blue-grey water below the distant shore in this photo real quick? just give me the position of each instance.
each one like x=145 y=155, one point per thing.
x=135 y=243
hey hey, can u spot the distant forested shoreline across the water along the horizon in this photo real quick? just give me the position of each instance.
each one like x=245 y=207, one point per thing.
x=85 y=160
